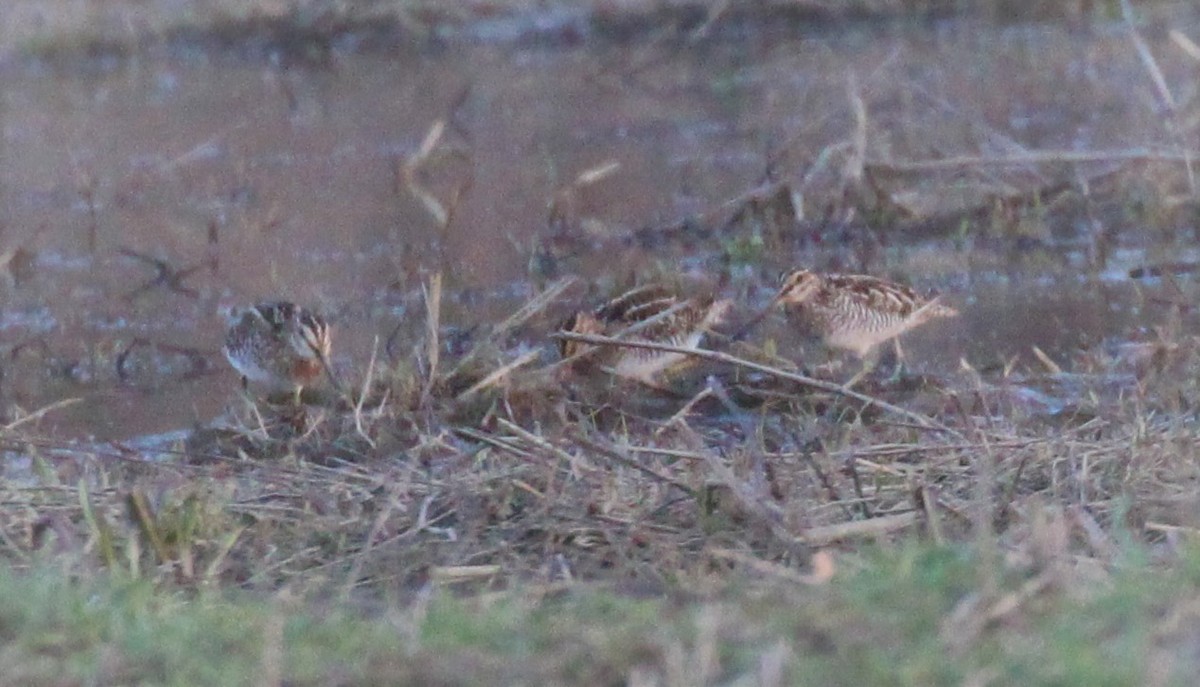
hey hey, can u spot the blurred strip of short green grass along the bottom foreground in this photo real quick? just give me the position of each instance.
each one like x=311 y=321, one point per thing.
x=891 y=622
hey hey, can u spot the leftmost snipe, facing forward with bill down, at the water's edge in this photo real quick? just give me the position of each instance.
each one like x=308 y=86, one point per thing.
x=279 y=344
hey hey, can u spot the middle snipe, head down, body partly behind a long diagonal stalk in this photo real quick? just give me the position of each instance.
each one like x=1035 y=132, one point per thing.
x=649 y=314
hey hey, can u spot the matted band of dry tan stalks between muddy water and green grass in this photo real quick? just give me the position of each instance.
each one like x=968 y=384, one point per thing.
x=493 y=473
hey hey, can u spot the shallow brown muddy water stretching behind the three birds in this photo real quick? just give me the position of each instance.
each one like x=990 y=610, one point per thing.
x=137 y=198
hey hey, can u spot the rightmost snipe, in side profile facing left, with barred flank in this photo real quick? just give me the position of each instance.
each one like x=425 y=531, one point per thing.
x=855 y=313
